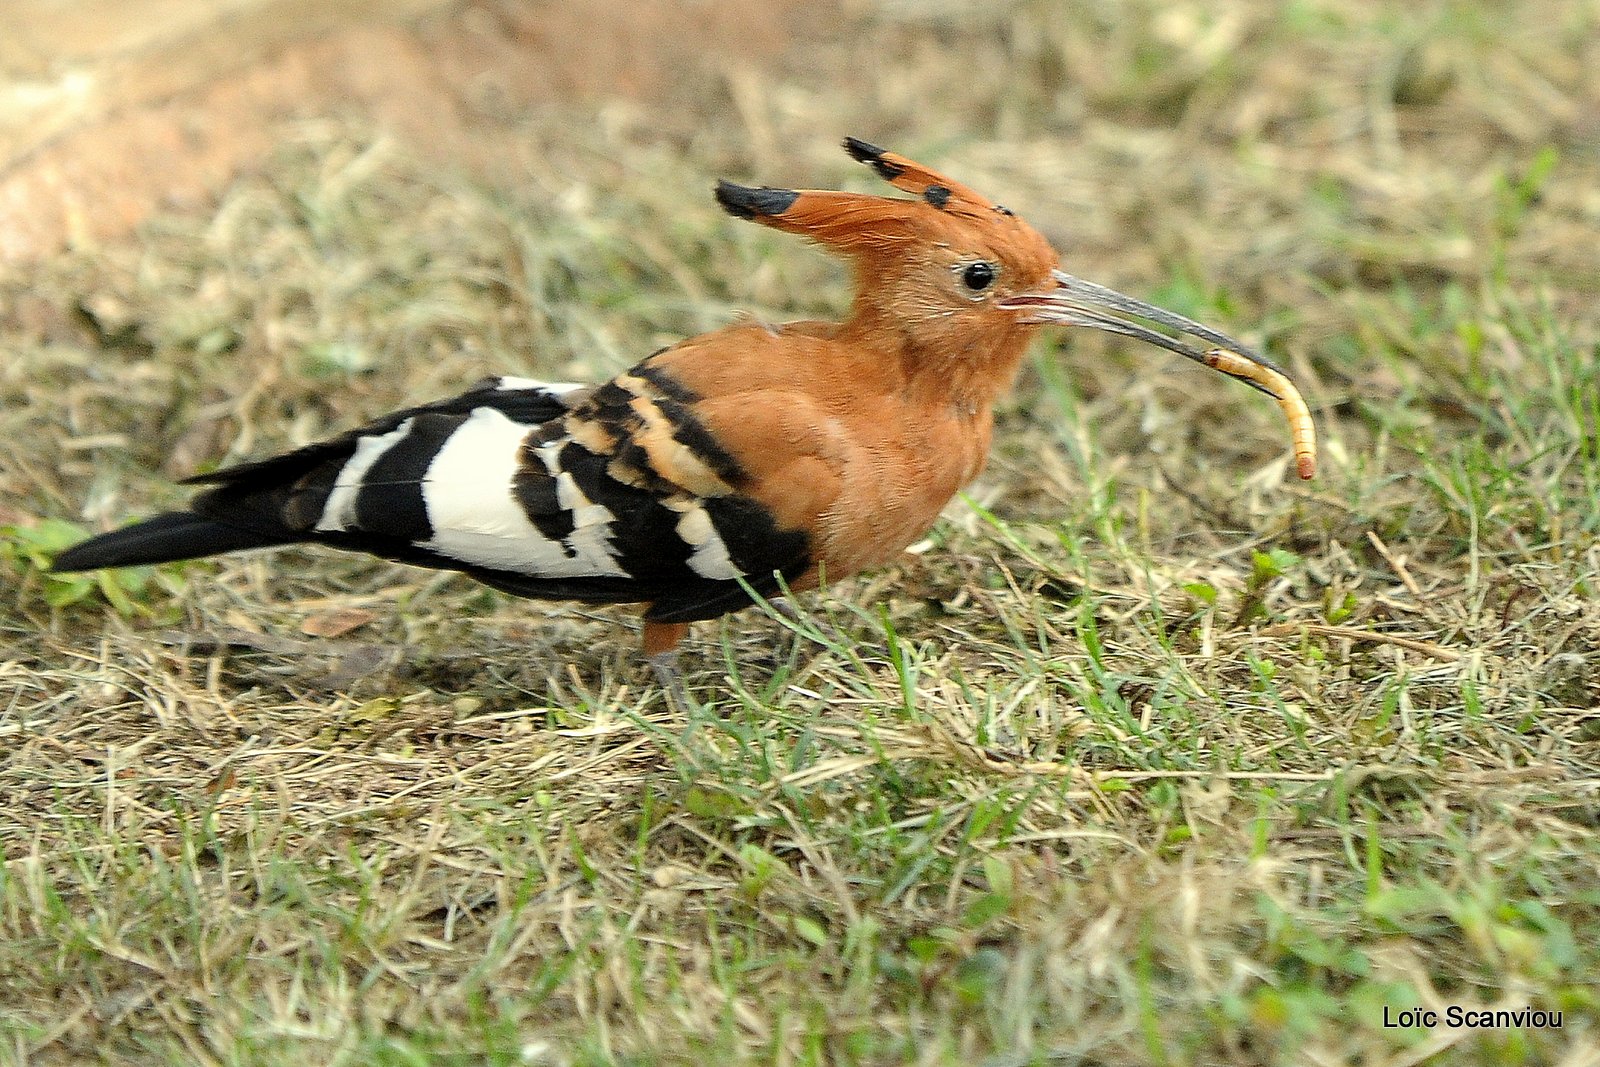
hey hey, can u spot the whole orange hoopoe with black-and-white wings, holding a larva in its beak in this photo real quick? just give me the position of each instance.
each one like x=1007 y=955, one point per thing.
x=754 y=457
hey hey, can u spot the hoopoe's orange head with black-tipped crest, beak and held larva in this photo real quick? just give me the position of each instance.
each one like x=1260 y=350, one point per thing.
x=956 y=284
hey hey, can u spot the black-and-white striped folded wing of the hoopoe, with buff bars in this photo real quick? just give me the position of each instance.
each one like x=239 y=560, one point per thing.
x=610 y=494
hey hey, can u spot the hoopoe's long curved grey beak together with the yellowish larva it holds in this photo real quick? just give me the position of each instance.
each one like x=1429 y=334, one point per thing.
x=1078 y=303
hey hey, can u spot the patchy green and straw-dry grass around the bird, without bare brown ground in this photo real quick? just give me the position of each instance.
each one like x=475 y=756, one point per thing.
x=1148 y=756
